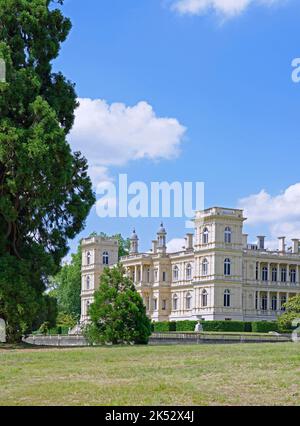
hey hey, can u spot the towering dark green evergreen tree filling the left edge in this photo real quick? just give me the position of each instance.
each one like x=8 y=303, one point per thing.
x=45 y=192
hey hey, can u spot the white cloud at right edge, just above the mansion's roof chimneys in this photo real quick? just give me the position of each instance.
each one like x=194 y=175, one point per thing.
x=281 y=213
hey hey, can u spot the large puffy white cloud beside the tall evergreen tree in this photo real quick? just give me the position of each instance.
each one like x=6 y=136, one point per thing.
x=113 y=135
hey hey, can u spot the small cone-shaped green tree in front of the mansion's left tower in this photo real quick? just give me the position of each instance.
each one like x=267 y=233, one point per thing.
x=118 y=314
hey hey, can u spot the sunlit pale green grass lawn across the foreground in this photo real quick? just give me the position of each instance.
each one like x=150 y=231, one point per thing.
x=247 y=374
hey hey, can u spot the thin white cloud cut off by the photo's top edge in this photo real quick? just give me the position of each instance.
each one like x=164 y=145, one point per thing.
x=226 y=8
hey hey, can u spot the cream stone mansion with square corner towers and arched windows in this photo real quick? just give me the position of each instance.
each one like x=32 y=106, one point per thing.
x=216 y=276
